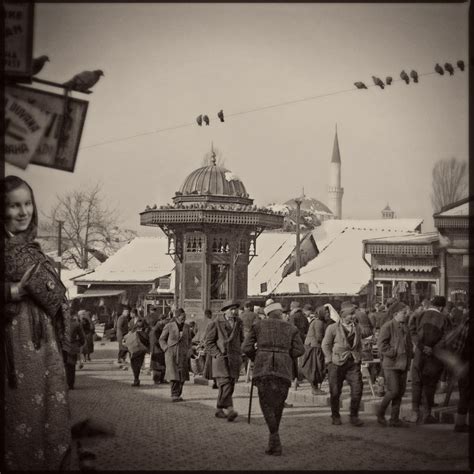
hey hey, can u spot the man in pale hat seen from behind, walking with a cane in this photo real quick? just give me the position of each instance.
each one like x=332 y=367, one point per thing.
x=273 y=344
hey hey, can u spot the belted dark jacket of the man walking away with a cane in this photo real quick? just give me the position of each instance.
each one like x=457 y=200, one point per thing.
x=278 y=345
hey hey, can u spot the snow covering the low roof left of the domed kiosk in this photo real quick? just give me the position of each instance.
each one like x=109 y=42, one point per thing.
x=142 y=260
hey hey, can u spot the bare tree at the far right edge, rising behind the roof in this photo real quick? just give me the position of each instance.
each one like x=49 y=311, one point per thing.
x=450 y=182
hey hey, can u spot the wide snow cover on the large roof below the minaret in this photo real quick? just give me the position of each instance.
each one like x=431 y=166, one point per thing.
x=339 y=268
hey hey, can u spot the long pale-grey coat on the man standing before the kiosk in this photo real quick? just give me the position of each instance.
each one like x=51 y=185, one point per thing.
x=177 y=350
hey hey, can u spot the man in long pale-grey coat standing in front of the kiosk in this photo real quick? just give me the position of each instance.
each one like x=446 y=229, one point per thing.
x=175 y=341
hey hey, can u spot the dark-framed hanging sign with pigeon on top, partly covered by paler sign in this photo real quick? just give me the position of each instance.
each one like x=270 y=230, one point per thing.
x=60 y=142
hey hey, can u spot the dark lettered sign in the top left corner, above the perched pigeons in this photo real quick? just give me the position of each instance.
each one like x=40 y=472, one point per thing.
x=18 y=36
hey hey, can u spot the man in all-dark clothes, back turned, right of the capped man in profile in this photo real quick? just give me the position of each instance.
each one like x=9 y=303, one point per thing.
x=426 y=369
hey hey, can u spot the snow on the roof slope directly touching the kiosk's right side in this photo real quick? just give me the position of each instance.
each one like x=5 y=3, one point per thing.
x=273 y=250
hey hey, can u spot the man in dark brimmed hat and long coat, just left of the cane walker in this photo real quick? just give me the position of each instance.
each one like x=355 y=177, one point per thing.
x=223 y=339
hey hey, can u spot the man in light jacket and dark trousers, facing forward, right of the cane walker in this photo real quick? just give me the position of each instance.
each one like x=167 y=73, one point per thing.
x=342 y=347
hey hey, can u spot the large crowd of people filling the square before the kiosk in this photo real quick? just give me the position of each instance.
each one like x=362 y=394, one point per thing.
x=283 y=346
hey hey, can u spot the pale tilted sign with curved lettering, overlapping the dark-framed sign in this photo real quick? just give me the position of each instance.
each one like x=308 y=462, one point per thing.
x=25 y=125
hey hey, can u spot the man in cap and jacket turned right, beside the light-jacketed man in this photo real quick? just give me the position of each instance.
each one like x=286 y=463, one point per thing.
x=395 y=345
